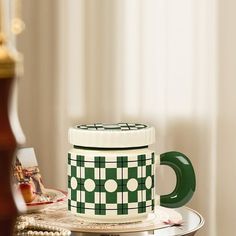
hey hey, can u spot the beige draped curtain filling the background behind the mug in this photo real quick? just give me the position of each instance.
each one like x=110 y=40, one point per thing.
x=168 y=63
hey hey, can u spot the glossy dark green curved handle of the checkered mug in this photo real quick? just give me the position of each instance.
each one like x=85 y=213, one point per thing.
x=185 y=176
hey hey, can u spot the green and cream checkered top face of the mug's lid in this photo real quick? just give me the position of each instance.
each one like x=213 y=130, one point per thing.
x=119 y=126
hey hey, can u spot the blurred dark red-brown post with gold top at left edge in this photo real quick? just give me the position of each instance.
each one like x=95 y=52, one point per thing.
x=8 y=144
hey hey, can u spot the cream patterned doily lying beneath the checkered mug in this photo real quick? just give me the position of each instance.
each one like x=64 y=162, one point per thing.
x=59 y=215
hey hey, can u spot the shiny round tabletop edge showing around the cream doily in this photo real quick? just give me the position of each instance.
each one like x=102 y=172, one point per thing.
x=193 y=221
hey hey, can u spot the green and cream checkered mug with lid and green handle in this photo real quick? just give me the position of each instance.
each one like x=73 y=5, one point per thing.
x=111 y=173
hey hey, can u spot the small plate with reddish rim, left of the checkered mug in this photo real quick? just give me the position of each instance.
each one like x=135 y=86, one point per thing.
x=51 y=197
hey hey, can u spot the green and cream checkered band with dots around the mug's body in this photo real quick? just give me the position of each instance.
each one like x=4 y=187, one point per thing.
x=119 y=185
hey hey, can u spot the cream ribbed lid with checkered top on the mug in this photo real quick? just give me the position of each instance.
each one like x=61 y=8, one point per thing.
x=120 y=135
